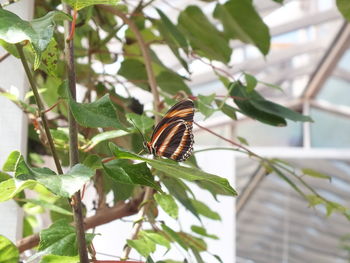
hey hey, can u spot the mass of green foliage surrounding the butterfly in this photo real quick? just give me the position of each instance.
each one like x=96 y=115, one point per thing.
x=110 y=117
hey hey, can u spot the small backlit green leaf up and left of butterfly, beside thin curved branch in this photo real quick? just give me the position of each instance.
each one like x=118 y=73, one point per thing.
x=134 y=71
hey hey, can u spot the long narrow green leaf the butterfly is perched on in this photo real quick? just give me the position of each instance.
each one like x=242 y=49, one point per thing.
x=173 y=169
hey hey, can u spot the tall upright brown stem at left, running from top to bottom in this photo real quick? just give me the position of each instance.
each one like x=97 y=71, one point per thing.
x=73 y=139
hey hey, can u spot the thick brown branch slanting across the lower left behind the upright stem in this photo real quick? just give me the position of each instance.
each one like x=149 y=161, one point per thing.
x=102 y=216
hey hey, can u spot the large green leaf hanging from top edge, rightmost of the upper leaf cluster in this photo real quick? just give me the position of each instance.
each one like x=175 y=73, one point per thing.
x=241 y=21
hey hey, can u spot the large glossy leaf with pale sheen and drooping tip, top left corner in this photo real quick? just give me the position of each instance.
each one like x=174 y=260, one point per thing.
x=38 y=32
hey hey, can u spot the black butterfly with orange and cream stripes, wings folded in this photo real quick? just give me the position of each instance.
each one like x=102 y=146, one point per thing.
x=173 y=137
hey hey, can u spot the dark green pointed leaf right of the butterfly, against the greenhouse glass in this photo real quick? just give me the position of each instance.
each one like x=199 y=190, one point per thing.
x=255 y=106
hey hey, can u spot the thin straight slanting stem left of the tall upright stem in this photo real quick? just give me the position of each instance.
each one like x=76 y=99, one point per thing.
x=40 y=108
